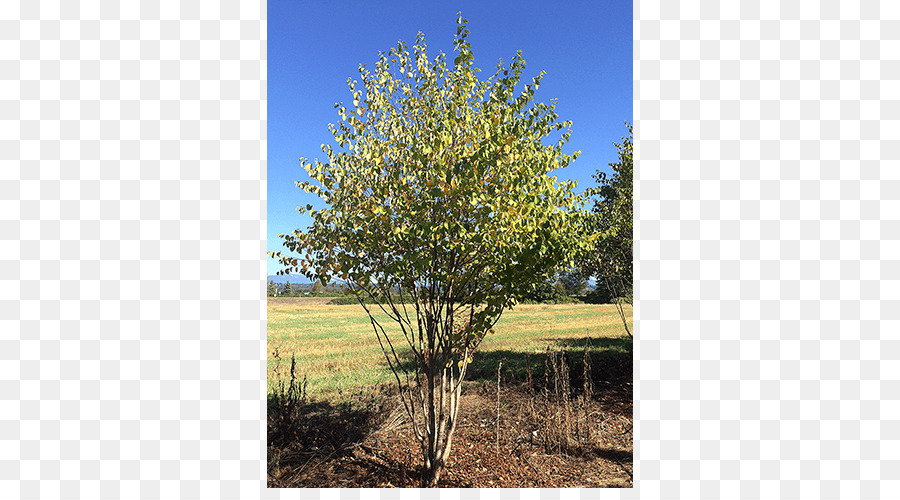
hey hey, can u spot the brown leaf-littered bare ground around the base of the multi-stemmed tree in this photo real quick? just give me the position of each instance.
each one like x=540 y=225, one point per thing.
x=550 y=436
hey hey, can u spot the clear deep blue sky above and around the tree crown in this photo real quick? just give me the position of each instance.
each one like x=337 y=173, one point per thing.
x=585 y=48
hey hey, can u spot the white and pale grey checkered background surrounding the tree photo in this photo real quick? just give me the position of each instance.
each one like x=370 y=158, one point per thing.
x=133 y=174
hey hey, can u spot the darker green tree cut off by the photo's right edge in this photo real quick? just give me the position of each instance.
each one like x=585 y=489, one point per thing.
x=612 y=260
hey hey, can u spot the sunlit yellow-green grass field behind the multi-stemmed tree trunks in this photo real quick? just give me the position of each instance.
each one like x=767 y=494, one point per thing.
x=336 y=348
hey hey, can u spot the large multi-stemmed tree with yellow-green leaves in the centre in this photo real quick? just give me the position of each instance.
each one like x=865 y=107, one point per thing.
x=440 y=202
